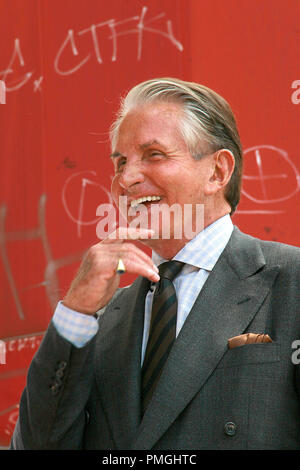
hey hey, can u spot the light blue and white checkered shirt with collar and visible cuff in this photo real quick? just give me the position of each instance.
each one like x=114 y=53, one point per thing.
x=199 y=255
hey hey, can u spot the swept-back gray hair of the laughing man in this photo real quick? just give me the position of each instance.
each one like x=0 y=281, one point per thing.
x=207 y=125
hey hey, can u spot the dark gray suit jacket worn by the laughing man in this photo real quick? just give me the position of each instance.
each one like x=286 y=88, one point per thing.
x=208 y=397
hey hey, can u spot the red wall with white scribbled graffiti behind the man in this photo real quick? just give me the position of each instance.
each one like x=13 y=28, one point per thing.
x=65 y=65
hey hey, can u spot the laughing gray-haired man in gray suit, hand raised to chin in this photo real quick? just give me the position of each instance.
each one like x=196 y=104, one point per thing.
x=109 y=373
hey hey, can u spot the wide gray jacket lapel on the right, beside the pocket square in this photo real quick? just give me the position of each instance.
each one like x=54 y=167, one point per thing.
x=228 y=302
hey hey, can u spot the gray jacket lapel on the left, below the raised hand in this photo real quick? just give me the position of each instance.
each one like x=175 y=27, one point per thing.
x=118 y=361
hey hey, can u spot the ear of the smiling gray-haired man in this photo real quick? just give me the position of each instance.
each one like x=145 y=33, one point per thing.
x=223 y=163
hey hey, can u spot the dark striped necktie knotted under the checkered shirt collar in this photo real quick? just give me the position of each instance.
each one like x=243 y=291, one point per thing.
x=162 y=331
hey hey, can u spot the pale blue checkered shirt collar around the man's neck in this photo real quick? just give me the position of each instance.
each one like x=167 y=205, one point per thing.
x=204 y=250
